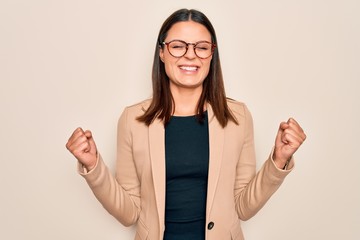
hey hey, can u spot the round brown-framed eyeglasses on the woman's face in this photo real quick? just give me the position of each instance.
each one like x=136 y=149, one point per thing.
x=178 y=48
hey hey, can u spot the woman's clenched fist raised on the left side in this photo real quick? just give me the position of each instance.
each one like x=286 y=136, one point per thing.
x=82 y=145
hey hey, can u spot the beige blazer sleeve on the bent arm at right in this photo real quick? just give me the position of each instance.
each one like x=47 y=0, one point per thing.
x=253 y=190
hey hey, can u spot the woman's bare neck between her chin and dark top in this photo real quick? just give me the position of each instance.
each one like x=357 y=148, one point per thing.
x=186 y=101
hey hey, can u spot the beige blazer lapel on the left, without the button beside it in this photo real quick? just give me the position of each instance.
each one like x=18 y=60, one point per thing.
x=157 y=158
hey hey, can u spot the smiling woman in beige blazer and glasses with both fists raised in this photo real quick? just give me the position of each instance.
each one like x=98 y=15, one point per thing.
x=185 y=160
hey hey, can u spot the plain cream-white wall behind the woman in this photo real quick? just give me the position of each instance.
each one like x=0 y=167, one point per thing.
x=71 y=63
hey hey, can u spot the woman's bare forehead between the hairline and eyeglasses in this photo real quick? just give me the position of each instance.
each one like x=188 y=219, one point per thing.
x=188 y=31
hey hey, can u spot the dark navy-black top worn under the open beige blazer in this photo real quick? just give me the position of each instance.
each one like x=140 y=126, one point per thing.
x=187 y=163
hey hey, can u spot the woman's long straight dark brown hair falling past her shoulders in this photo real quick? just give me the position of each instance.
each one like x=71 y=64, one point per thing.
x=213 y=86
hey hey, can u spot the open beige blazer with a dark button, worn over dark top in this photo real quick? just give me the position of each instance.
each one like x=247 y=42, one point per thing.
x=137 y=193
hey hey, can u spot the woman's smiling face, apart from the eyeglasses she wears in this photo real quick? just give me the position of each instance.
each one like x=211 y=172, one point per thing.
x=188 y=71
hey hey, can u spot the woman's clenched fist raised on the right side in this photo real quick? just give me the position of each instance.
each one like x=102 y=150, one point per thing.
x=289 y=138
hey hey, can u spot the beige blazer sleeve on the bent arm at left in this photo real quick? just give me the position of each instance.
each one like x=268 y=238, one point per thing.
x=119 y=195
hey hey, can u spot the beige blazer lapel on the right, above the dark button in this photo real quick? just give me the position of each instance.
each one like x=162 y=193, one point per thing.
x=216 y=144
